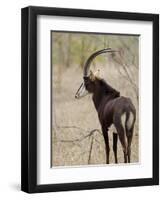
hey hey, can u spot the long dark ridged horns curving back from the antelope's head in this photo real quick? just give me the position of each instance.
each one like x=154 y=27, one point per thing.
x=90 y=59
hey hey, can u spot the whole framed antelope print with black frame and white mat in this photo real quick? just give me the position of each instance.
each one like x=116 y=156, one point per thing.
x=90 y=99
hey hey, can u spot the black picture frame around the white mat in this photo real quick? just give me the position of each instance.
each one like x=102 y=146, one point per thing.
x=29 y=99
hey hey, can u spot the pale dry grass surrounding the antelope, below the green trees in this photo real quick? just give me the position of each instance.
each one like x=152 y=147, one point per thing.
x=73 y=119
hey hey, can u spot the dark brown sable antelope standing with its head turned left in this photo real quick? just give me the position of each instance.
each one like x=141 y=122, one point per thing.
x=112 y=109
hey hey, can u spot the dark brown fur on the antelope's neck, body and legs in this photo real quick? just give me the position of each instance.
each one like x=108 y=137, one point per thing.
x=110 y=107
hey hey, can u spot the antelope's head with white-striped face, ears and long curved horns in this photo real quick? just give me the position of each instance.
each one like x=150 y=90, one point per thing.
x=90 y=79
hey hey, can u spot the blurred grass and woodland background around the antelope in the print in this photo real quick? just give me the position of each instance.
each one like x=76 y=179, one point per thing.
x=76 y=132
